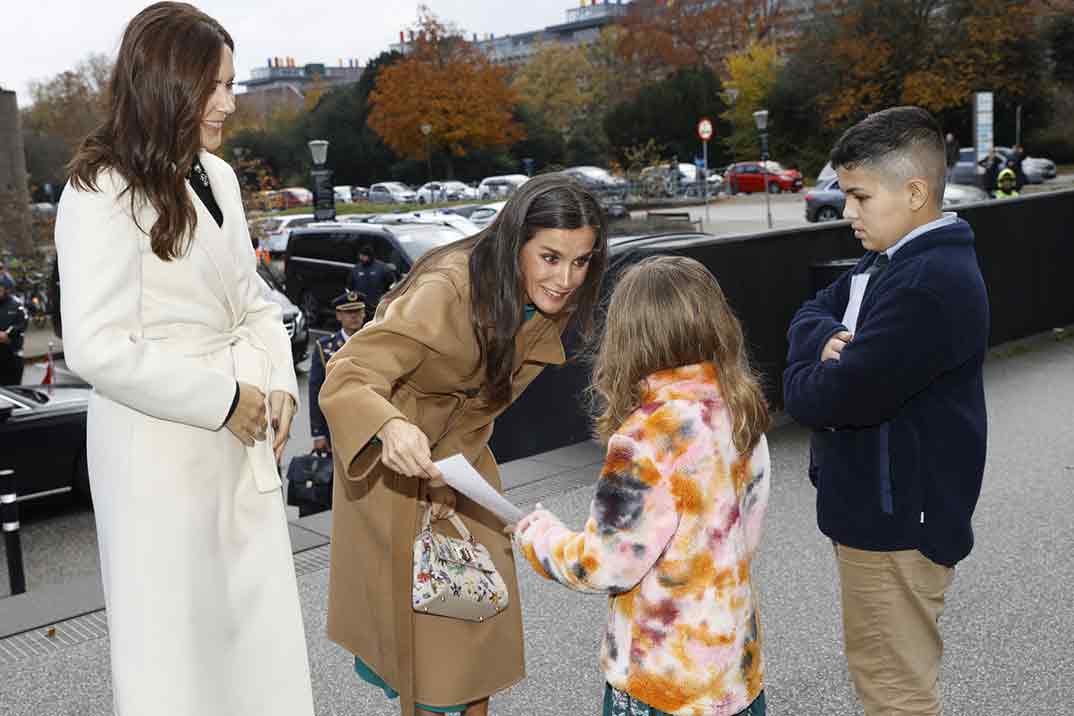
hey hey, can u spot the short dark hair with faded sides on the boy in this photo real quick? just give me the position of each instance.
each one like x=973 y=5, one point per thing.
x=899 y=143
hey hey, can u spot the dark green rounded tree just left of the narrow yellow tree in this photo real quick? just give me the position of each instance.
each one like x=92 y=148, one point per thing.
x=667 y=113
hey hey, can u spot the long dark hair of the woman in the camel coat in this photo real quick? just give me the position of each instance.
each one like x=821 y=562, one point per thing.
x=498 y=295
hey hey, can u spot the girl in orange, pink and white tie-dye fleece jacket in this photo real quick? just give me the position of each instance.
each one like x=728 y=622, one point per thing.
x=678 y=510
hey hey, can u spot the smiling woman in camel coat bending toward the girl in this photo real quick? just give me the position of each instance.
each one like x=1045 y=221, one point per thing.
x=420 y=384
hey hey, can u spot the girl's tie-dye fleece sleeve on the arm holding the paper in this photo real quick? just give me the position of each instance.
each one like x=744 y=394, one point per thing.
x=632 y=519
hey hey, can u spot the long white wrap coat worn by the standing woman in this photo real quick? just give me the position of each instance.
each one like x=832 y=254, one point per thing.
x=196 y=559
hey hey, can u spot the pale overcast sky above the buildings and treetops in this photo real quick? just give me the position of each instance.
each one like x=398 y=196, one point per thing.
x=40 y=39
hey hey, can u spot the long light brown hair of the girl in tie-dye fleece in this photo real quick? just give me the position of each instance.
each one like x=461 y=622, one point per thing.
x=666 y=313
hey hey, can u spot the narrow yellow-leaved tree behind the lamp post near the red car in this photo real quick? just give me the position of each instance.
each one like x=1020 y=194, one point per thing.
x=751 y=74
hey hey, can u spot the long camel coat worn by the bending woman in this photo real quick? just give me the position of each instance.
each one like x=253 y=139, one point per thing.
x=417 y=361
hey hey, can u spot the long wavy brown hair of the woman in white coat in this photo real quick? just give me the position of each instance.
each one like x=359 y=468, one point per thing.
x=164 y=78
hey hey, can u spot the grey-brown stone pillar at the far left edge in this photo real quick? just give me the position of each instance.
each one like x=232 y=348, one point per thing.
x=16 y=235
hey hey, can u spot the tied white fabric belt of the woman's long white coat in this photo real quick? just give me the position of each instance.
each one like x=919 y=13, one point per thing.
x=252 y=364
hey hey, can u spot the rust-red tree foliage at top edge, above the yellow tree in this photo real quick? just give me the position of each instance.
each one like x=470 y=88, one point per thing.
x=663 y=36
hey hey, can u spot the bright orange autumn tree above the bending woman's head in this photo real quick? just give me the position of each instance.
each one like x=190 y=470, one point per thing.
x=447 y=83
